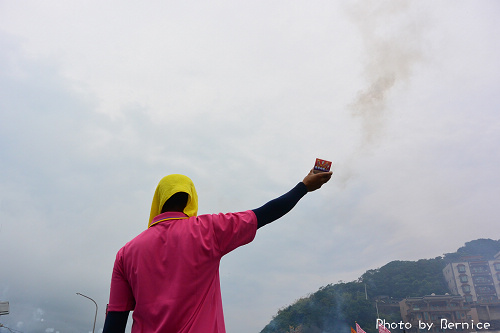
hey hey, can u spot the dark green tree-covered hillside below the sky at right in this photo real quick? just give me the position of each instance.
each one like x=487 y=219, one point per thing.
x=335 y=307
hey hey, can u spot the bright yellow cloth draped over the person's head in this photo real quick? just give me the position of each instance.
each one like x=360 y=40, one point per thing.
x=167 y=187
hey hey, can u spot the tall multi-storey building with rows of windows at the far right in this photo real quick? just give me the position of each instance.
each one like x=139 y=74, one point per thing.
x=478 y=281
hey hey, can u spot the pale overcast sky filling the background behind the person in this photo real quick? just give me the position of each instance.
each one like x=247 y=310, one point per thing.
x=101 y=99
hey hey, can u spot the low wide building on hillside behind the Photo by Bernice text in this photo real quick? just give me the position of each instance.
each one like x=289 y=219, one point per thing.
x=430 y=313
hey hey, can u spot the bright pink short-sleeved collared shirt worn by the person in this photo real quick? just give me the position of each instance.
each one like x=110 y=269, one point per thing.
x=169 y=274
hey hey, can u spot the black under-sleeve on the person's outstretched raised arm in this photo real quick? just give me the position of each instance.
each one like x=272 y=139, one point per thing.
x=278 y=207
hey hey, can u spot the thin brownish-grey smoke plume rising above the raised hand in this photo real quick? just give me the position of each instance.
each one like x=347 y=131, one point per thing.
x=391 y=37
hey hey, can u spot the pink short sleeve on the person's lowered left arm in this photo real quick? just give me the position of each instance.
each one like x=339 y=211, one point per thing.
x=121 y=297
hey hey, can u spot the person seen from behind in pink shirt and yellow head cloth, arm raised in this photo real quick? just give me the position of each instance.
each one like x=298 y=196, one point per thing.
x=169 y=274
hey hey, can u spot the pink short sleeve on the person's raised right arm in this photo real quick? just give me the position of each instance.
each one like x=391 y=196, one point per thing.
x=233 y=230
